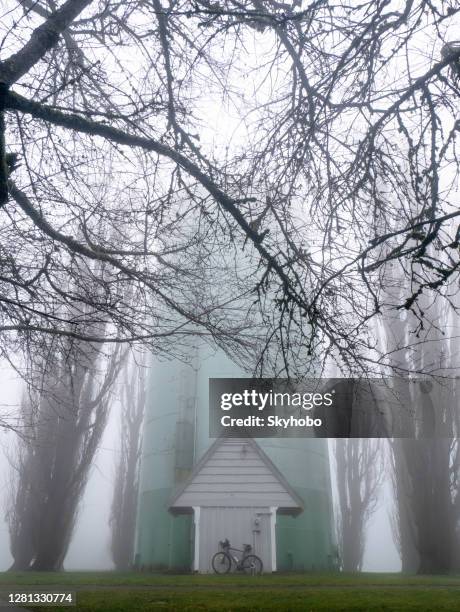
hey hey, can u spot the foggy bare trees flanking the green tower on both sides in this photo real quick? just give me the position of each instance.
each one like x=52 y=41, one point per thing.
x=64 y=415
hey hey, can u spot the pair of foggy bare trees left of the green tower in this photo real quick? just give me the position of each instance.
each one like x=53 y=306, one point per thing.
x=63 y=422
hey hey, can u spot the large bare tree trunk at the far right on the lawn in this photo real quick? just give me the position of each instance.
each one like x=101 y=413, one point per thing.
x=425 y=464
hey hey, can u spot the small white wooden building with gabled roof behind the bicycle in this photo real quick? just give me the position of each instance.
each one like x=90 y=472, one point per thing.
x=235 y=492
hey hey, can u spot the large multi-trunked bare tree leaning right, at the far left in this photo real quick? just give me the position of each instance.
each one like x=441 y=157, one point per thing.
x=62 y=423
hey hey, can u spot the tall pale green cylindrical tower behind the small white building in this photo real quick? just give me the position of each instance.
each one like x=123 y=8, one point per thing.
x=176 y=436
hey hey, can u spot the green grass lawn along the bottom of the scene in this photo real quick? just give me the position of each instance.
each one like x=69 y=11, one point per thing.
x=112 y=591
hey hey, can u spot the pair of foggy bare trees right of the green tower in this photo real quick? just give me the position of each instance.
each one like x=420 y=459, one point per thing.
x=424 y=465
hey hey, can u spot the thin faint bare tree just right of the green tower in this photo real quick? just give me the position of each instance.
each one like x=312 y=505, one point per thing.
x=359 y=471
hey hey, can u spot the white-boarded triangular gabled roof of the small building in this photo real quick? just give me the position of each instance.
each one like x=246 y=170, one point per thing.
x=236 y=472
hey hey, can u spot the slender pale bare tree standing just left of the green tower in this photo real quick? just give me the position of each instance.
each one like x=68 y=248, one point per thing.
x=124 y=505
